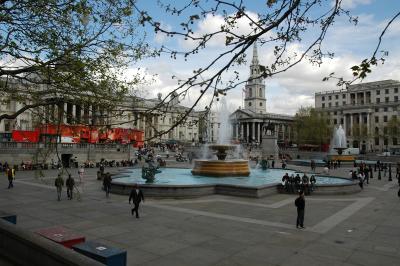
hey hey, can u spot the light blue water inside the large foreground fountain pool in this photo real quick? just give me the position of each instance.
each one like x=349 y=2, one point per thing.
x=258 y=177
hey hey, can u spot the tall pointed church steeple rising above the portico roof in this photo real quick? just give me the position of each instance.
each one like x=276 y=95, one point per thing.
x=255 y=88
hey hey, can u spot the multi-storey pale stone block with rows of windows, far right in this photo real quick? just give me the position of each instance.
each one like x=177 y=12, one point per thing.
x=369 y=113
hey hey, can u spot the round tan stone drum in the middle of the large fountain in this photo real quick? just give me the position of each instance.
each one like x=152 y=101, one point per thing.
x=221 y=168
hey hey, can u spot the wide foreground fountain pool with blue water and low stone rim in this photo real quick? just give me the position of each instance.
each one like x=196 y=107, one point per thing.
x=180 y=183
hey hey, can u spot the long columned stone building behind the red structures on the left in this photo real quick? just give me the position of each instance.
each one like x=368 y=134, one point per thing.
x=132 y=113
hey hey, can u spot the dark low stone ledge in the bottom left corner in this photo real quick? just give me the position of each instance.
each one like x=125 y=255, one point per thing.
x=22 y=247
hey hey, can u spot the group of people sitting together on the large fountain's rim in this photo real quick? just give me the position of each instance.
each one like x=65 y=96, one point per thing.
x=293 y=183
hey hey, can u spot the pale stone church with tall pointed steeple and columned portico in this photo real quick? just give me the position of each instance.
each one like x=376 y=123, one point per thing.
x=247 y=122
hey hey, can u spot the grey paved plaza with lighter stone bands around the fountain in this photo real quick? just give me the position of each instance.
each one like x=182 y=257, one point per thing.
x=357 y=229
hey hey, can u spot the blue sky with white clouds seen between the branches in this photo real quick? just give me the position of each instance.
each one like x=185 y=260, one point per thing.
x=288 y=91
